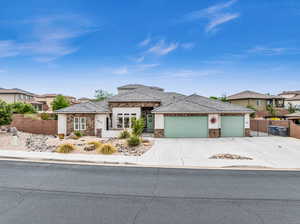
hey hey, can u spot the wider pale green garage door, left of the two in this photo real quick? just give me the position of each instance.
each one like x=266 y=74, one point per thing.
x=186 y=126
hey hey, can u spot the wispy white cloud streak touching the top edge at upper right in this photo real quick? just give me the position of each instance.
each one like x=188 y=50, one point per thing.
x=215 y=15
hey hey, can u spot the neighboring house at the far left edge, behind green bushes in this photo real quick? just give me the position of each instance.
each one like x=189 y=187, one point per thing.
x=18 y=95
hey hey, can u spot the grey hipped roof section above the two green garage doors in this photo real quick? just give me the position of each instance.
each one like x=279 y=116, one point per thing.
x=199 y=104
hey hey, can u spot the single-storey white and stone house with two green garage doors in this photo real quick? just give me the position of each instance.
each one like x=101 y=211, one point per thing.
x=166 y=114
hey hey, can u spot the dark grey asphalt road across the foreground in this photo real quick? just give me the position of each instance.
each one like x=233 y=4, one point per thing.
x=36 y=193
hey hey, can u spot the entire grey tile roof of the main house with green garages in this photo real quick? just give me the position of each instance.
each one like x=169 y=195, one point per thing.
x=170 y=102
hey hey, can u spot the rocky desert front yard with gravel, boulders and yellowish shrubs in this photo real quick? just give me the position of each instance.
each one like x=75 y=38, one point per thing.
x=12 y=139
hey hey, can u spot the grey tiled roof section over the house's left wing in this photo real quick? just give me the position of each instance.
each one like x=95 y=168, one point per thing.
x=88 y=107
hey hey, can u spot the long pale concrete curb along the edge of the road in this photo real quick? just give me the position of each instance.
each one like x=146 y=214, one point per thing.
x=127 y=164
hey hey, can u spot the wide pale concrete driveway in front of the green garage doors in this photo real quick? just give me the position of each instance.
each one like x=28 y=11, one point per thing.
x=275 y=152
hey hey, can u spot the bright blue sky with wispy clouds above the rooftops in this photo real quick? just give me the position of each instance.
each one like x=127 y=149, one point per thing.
x=207 y=47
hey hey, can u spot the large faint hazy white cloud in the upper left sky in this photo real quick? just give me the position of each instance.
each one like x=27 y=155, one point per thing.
x=51 y=38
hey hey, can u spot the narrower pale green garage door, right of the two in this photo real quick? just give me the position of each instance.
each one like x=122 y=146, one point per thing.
x=232 y=126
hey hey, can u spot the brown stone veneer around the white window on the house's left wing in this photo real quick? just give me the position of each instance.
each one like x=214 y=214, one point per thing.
x=90 y=123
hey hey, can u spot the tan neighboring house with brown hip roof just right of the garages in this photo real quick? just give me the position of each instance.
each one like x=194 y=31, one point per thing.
x=256 y=100
